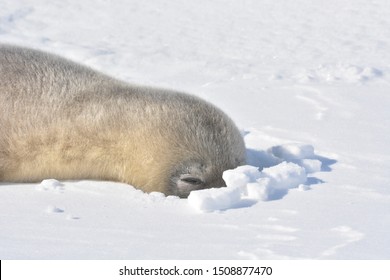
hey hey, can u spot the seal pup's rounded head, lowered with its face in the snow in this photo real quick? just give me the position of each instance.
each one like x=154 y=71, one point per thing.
x=187 y=145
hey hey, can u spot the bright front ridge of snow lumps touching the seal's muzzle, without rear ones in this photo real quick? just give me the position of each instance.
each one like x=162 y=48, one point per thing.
x=247 y=182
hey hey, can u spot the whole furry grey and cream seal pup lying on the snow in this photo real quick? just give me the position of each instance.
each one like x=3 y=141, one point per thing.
x=62 y=120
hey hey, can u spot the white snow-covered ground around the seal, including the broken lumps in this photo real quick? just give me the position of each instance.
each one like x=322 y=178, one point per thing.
x=308 y=84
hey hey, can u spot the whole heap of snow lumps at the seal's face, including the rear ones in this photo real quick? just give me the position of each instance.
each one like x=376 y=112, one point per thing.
x=292 y=163
